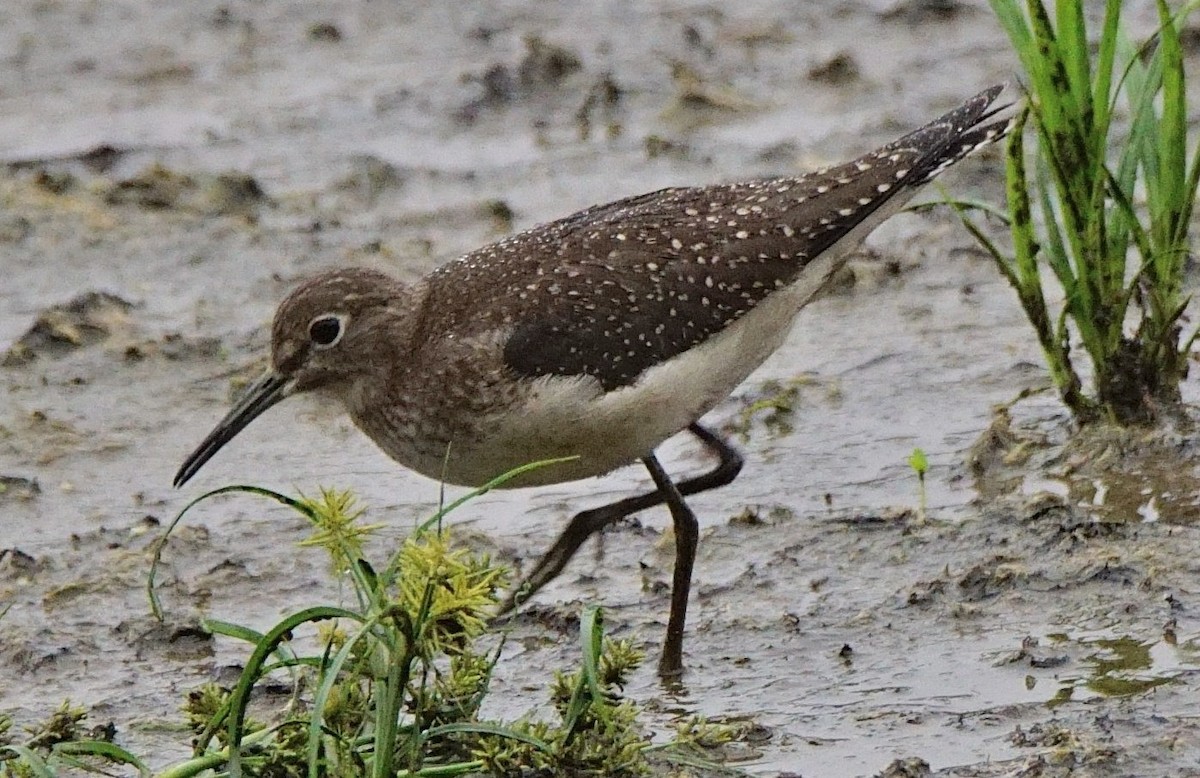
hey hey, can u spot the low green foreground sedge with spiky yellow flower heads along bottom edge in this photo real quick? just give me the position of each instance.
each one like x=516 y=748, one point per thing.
x=393 y=686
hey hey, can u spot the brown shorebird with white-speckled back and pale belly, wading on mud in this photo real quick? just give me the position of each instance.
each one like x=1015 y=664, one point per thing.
x=597 y=337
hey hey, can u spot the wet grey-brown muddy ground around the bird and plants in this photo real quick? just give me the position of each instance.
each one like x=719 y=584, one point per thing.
x=172 y=169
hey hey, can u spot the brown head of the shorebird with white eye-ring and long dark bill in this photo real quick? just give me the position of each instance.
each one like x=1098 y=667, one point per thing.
x=320 y=340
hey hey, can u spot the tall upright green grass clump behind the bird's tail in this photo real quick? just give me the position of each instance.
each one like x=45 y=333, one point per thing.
x=1106 y=216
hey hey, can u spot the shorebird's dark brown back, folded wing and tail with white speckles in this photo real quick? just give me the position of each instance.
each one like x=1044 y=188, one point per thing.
x=617 y=289
